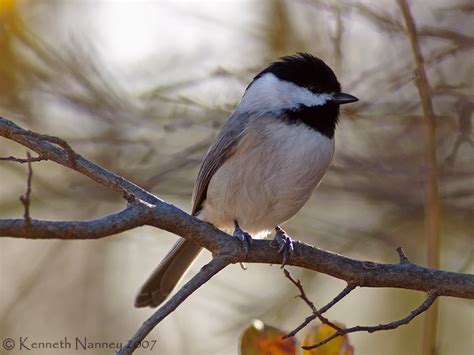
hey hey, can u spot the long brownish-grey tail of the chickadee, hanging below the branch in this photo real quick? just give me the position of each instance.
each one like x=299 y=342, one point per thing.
x=167 y=274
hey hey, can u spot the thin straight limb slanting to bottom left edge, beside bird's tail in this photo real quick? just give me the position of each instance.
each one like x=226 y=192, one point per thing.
x=209 y=270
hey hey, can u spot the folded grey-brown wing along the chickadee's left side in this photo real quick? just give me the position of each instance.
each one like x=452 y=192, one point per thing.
x=223 y=148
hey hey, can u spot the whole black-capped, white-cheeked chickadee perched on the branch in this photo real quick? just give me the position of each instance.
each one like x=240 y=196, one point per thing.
x=266 y=161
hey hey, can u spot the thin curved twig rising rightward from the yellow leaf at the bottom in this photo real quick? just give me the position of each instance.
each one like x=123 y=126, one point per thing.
x=432 y=296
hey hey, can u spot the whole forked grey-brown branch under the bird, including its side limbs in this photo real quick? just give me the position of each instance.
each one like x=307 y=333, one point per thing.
x=144 y=208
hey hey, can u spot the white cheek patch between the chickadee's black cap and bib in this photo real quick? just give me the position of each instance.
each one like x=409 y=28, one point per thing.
x=269 y=93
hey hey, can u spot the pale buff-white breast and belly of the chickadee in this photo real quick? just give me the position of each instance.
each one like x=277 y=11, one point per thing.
x=269 y=178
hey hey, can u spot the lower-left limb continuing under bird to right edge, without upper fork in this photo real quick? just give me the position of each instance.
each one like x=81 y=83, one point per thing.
x=170 y=218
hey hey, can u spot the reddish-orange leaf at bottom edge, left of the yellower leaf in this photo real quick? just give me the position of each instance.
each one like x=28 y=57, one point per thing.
x=261 y=339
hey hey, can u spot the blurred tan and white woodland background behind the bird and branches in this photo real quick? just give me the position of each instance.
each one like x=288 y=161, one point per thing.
x=142 y=88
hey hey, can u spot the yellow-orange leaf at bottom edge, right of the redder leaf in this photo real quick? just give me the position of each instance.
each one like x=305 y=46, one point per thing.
x=337 y=346
